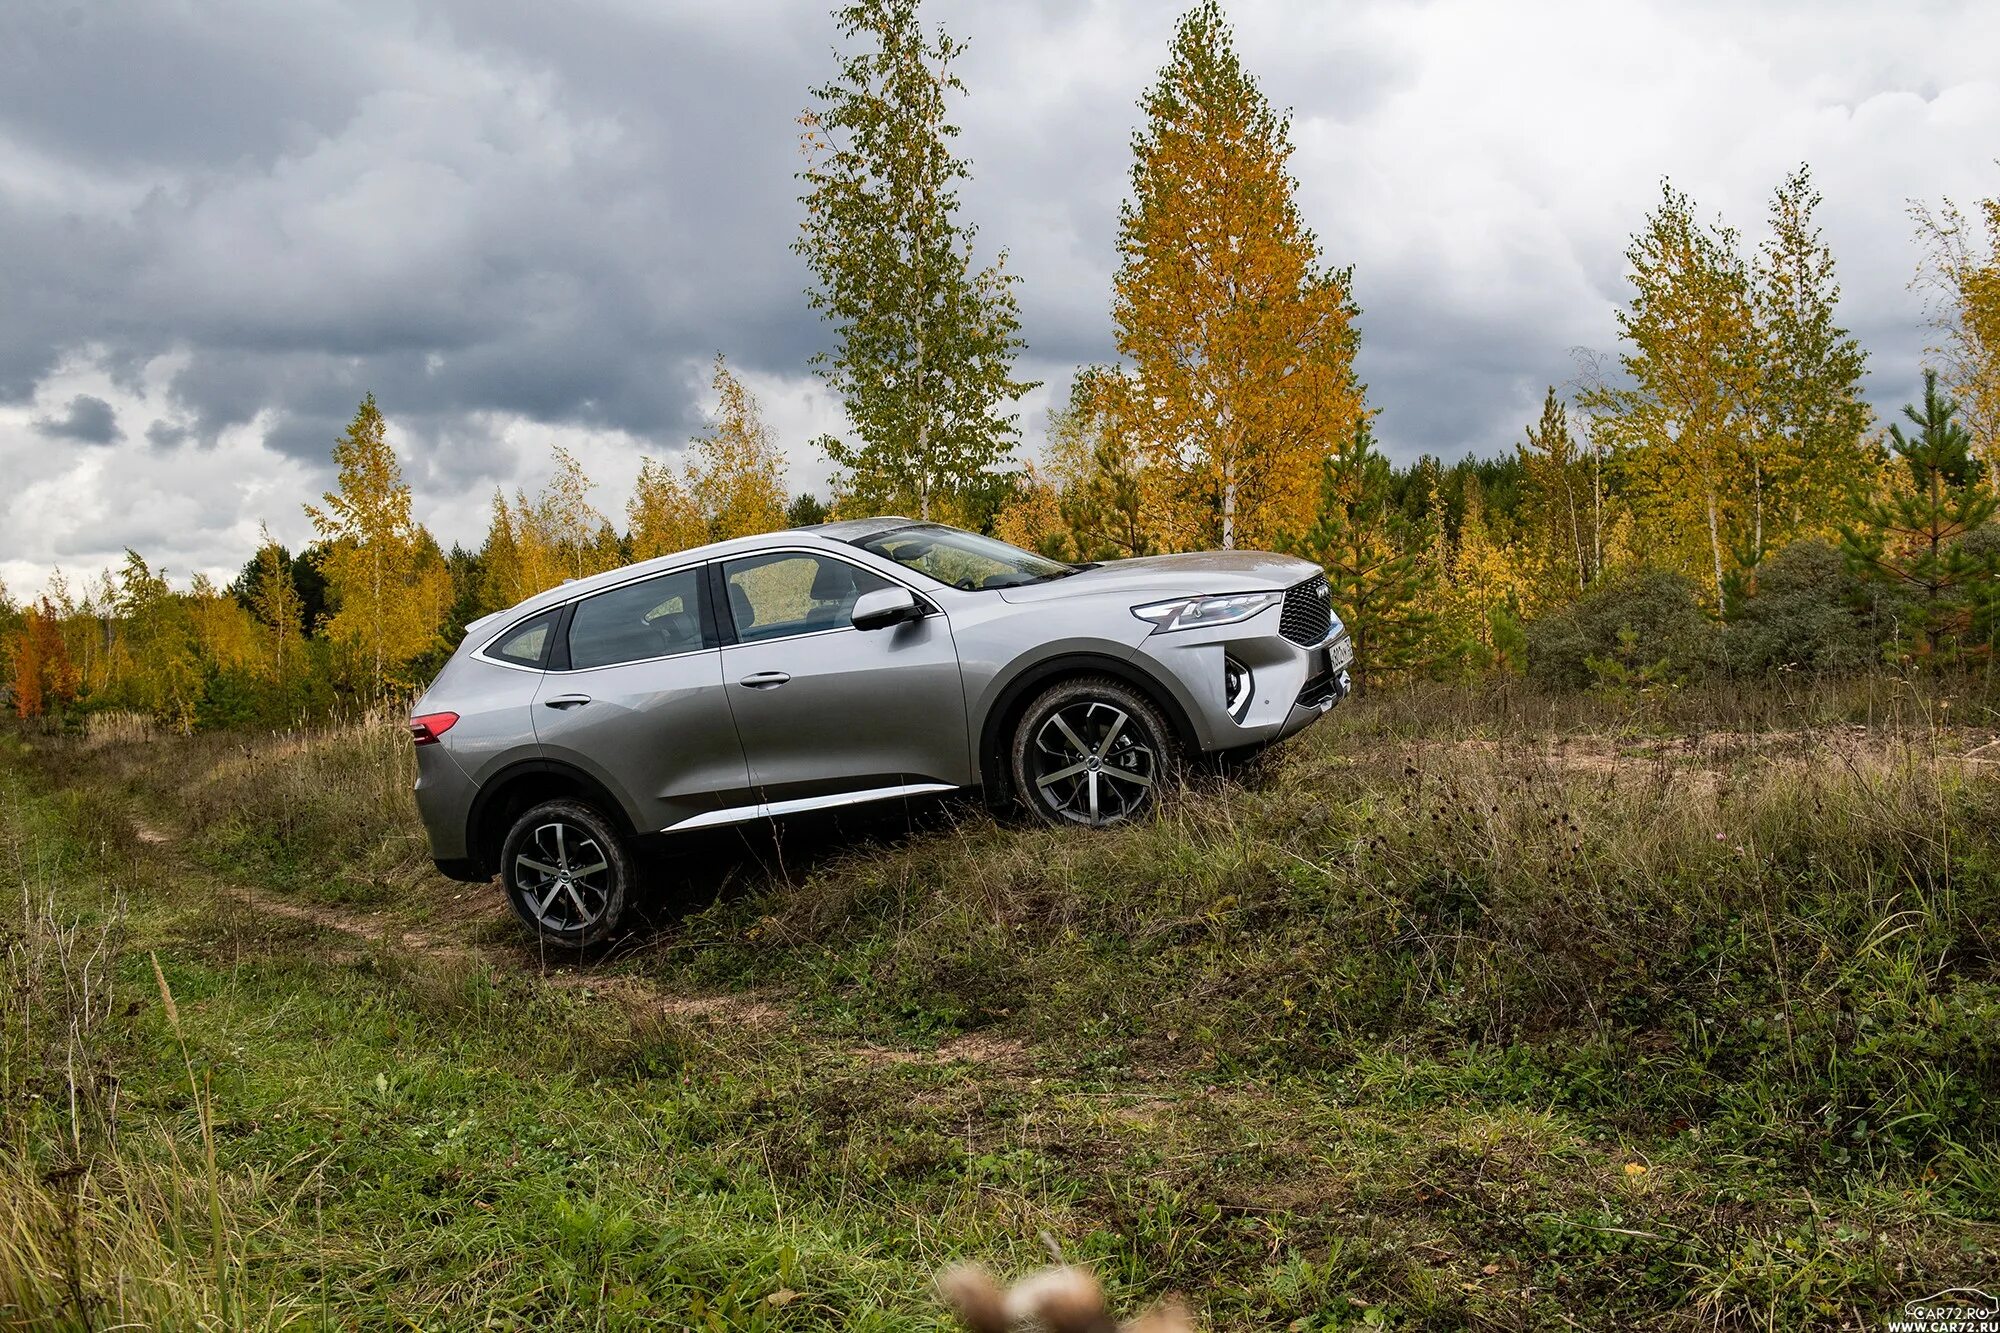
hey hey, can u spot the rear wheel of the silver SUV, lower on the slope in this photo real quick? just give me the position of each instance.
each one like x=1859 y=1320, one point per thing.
x=569 y=874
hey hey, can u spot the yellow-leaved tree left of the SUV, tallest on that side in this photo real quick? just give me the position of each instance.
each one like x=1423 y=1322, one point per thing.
x=375 y=575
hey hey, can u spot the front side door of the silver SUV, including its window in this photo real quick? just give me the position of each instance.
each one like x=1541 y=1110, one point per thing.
x=823 y=708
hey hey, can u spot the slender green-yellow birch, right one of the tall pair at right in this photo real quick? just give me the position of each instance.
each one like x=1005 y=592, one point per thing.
x=1811 y=409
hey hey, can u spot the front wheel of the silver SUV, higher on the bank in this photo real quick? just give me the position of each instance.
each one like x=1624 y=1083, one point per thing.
x=1091 y=752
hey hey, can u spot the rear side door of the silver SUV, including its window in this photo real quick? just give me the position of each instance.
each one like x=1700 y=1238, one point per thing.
x=635 y=698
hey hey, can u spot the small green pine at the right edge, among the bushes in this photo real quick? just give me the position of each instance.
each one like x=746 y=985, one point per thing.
x=1913 y=543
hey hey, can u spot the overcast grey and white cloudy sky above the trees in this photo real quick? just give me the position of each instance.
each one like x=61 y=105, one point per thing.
x=531 y=225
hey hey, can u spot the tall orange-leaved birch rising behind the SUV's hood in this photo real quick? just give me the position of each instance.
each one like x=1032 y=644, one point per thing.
x=1241 y=343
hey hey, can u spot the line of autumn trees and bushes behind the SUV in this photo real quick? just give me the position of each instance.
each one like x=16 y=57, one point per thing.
x=1717 y=495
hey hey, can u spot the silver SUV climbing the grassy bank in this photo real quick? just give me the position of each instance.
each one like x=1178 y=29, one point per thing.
x=845 y=663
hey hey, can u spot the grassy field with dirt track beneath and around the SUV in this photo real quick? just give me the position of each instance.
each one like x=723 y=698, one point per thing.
x=1467 y=1010
